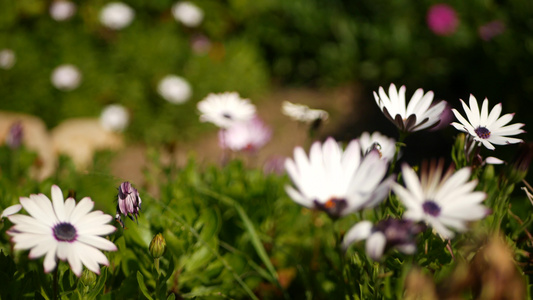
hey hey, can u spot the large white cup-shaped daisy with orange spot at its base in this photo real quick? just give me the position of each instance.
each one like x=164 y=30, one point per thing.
x=336 y=181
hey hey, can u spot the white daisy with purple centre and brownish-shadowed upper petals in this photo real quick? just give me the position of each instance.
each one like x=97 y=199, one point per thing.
x=441 y=200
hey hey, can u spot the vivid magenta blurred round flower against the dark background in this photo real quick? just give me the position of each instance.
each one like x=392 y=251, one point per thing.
x=442 y=19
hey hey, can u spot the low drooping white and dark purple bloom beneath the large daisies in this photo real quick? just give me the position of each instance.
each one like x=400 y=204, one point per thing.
x=386 y=234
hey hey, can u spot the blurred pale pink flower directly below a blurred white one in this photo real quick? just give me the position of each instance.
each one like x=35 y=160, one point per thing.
x=247 y=136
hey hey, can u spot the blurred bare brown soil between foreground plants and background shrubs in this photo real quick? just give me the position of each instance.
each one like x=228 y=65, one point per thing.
x=286 y=135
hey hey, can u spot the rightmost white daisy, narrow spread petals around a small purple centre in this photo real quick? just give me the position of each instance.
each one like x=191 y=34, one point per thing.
x=487 y=128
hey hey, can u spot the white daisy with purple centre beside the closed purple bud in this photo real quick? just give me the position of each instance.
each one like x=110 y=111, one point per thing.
x=63 y=229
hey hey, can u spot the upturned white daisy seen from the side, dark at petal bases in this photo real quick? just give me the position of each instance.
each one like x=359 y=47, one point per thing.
x=419 y=113
